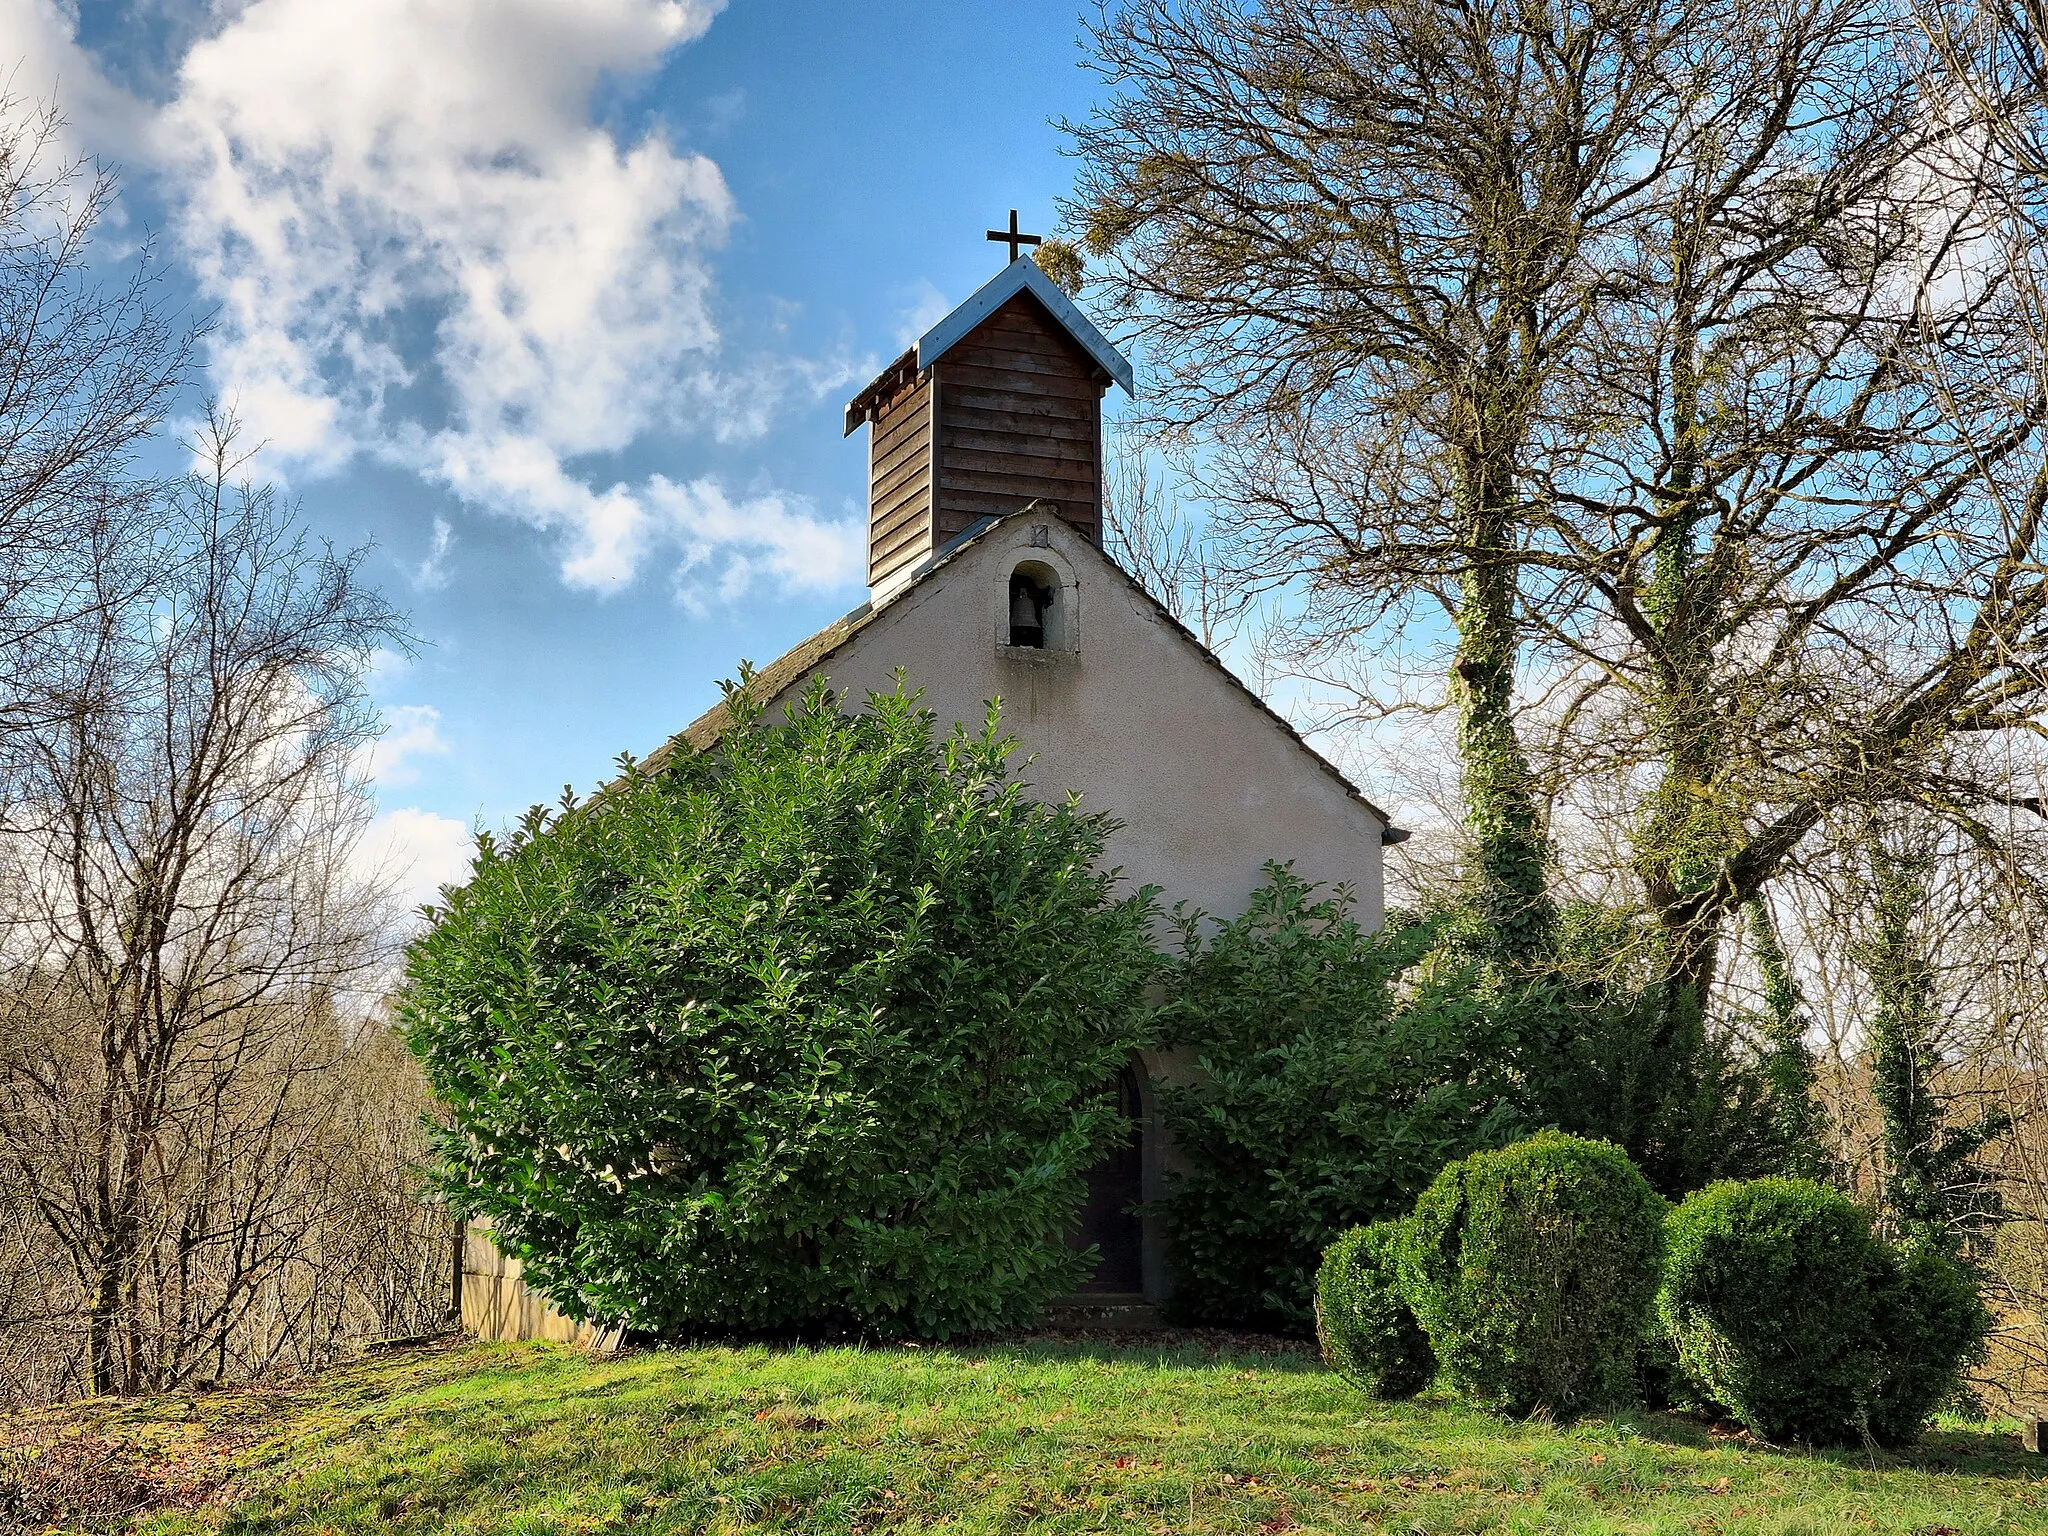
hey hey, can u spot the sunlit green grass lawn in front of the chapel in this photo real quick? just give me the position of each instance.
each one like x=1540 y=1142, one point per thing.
x=1046 y=1437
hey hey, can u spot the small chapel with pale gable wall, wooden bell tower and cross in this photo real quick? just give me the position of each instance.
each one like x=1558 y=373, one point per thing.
x=988 y=581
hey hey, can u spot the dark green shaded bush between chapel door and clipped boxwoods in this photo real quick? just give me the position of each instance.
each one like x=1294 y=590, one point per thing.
x=1324 y=1103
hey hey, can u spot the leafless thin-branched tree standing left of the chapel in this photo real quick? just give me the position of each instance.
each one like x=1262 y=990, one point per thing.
x=185 y=921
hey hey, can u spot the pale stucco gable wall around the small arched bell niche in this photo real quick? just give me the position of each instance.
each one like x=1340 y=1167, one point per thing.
x=1129 y=714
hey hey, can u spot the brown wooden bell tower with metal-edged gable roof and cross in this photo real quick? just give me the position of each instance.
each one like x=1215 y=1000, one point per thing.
x=996 y=407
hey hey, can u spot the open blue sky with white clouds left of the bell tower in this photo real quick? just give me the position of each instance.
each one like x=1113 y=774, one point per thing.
x=556 y=304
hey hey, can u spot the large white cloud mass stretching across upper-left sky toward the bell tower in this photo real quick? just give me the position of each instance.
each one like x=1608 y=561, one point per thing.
x=423 y=247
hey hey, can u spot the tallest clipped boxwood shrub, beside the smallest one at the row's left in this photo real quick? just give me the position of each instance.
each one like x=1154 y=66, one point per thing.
x=1533 y=1273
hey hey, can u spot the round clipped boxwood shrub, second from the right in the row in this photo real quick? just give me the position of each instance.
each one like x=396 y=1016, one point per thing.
x=1775 y=1293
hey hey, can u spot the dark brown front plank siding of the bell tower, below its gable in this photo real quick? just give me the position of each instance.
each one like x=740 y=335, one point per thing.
x=1019 y=421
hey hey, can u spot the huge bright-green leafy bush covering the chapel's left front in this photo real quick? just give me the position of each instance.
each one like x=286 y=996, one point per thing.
x=800 y=1033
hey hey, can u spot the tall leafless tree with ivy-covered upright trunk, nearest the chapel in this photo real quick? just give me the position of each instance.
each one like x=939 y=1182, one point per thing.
x=1363 y=234
